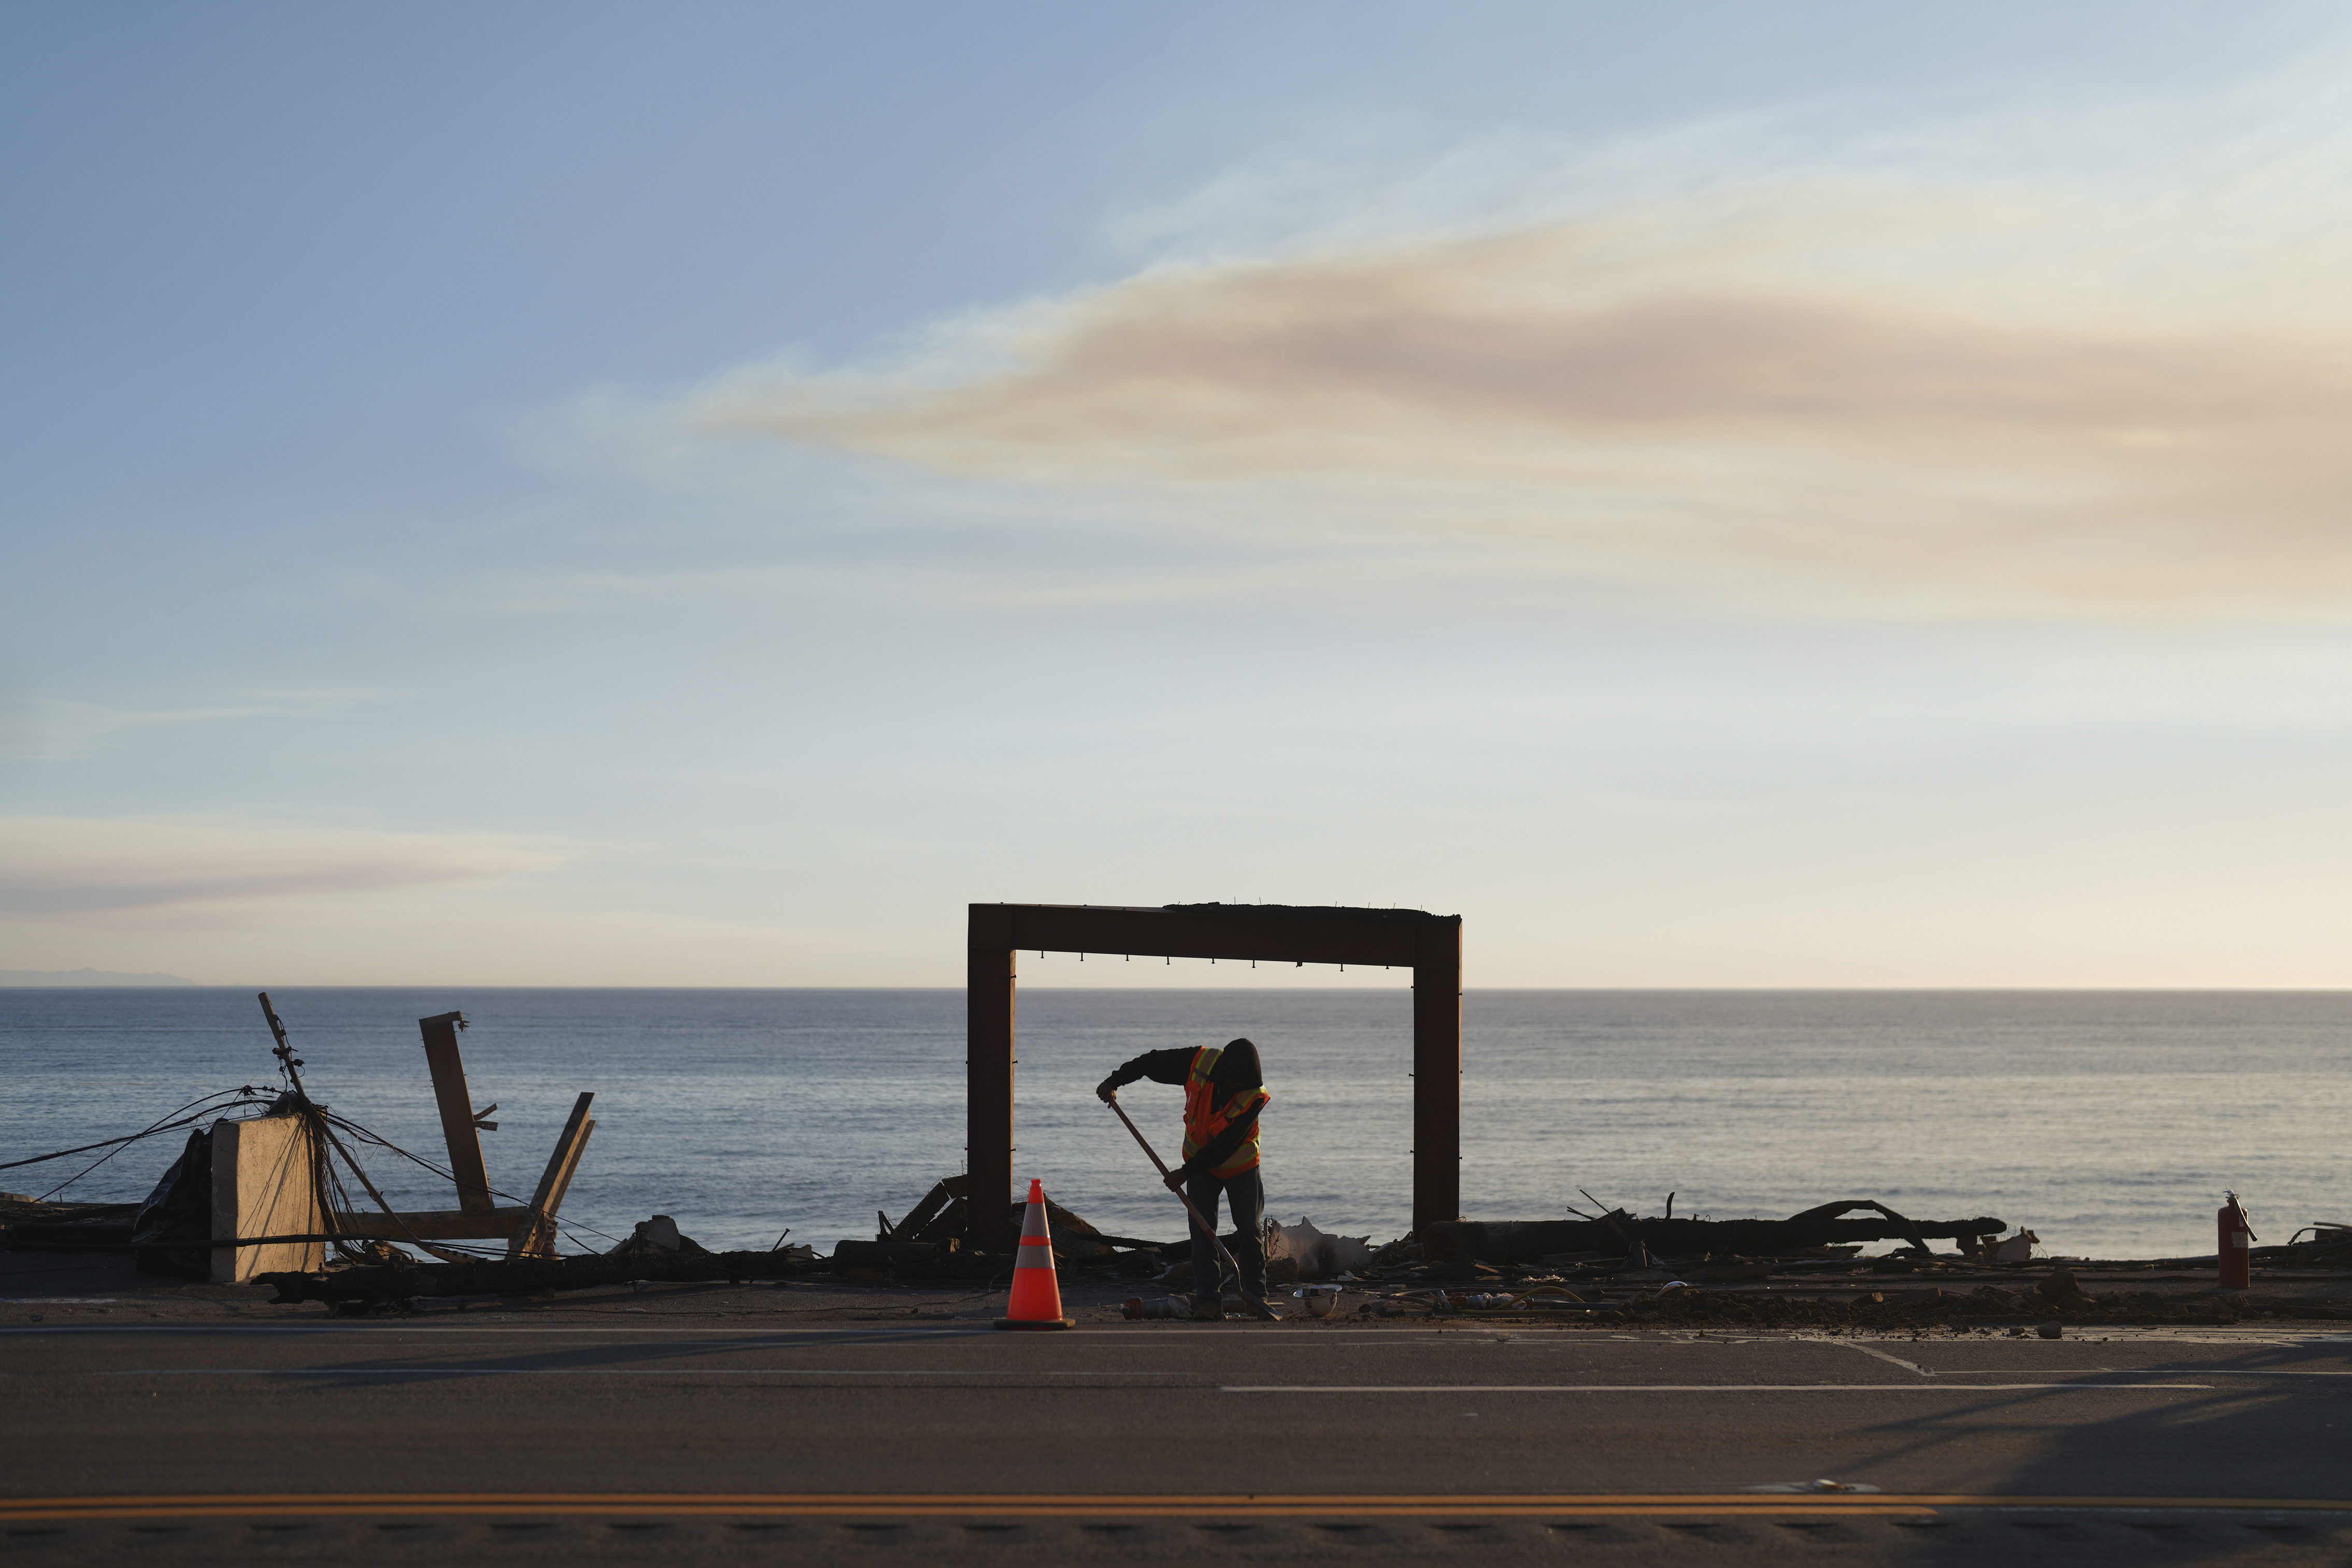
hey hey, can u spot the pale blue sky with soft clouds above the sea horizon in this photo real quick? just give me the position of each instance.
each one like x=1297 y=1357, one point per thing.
x=1713 y=495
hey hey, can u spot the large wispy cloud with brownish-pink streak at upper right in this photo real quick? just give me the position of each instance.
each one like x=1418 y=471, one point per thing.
x=2111 y=387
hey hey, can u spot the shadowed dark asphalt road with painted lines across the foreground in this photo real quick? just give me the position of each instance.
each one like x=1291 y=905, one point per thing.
x=509 y=1440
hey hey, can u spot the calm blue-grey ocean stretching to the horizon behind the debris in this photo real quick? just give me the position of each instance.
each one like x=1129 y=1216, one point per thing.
x=2109 y=1123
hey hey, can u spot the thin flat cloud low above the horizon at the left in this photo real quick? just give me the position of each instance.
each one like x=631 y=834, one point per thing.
x=76 y=866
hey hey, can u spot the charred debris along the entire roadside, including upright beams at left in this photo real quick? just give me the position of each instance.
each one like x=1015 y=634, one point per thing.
x=279 y=1198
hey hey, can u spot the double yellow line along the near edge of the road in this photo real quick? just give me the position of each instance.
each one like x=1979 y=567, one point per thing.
x=1083 y=1506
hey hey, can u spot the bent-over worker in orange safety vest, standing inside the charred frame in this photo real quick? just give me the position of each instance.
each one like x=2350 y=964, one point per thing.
x=1224 y=1090
